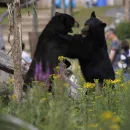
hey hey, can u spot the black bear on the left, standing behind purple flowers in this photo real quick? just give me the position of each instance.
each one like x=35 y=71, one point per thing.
x=49 y=49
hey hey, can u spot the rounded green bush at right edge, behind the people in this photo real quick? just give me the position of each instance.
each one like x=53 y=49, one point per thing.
x=123 y=30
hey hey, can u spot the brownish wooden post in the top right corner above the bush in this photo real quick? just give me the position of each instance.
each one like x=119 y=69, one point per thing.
x=127 y=10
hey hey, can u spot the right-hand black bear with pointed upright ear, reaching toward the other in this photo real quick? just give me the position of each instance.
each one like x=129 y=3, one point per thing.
x=90 y=49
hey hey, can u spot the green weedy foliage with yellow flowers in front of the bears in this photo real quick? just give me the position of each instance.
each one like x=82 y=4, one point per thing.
x=99 y=109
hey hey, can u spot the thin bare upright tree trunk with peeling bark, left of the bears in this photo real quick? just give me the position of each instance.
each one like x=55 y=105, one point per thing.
x=17 y=50
